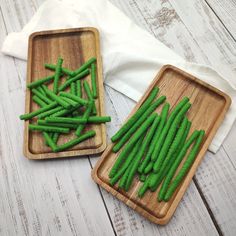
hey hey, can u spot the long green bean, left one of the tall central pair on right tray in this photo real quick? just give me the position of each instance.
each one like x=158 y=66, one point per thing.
x=165 y=130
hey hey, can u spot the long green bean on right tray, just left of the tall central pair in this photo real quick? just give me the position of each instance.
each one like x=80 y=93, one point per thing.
x=145 y=162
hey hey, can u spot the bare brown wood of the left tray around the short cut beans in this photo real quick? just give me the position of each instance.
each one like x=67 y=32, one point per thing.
x=75 y=46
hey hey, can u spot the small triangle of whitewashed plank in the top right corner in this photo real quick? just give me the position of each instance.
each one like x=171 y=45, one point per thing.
x=226 y=11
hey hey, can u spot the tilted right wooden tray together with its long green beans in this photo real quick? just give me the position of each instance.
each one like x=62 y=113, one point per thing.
x=155 y=153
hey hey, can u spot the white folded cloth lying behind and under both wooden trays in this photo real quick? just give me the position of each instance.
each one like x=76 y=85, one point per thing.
x=131 y=56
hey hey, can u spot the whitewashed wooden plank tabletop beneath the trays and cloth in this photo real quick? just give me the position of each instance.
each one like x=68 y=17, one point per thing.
x=58 y=197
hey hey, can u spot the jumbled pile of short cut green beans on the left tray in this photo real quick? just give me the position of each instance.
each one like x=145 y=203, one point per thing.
x=65 y=107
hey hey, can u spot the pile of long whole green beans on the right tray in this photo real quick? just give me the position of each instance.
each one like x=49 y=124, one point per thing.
x=153 y=146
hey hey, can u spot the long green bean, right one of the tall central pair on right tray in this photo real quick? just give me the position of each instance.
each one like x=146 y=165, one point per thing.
x=169 y=137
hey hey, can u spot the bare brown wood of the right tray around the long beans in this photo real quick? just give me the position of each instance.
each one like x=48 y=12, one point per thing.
x=209 y=106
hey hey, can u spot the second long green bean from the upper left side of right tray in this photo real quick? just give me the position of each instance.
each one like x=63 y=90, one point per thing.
x=137 y=124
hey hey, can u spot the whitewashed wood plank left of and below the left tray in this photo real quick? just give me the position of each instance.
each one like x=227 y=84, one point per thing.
x=54 y=197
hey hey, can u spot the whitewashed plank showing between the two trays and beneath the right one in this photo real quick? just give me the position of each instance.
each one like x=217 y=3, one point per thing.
x=191 y=216
